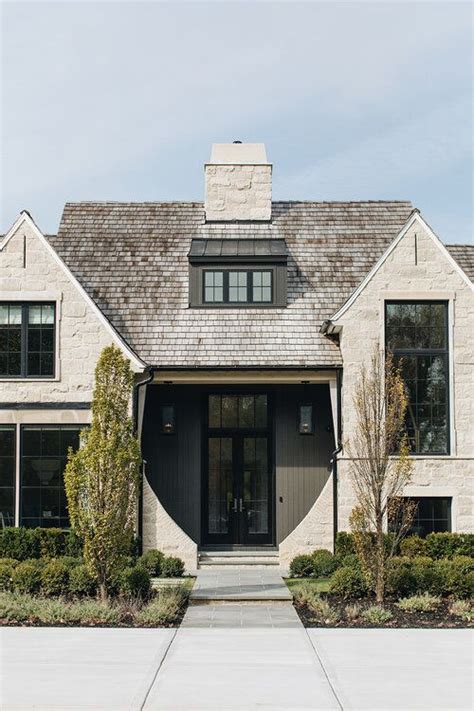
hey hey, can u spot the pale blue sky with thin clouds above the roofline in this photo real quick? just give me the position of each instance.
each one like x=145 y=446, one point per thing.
x=122 y=100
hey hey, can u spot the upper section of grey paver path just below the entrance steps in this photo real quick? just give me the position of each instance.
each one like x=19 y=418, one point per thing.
x=239 y=583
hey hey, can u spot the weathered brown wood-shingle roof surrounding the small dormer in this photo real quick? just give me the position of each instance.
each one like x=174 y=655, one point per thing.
x=133 y=261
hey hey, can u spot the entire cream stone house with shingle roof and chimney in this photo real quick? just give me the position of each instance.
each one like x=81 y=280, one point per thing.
x=246 y=322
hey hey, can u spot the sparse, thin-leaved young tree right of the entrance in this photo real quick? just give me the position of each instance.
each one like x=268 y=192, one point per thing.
x=380 y=466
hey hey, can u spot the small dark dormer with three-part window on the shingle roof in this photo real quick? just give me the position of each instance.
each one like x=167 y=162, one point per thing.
x=238 y=273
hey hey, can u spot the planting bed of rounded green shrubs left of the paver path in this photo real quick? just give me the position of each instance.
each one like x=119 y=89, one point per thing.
x=44 y=581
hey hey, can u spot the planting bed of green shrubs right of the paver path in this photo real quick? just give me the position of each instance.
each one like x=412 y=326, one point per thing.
x=429 y=583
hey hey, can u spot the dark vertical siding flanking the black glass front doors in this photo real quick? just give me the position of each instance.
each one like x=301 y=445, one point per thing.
x=301 y=462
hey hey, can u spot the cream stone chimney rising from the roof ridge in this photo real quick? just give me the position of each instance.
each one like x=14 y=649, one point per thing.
x=238 y=183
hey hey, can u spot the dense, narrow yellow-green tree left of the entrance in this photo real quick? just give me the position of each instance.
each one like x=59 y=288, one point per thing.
x=102 y=477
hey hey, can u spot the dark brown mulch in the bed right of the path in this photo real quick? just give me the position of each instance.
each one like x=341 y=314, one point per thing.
x=440 y=618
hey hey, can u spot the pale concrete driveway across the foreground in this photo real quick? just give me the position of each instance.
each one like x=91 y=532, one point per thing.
x=45 y=668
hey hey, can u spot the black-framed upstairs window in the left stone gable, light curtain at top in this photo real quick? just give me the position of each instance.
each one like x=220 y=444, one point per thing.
x=27 y=335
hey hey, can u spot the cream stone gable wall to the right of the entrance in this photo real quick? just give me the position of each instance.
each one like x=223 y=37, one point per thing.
x=417 y=268
